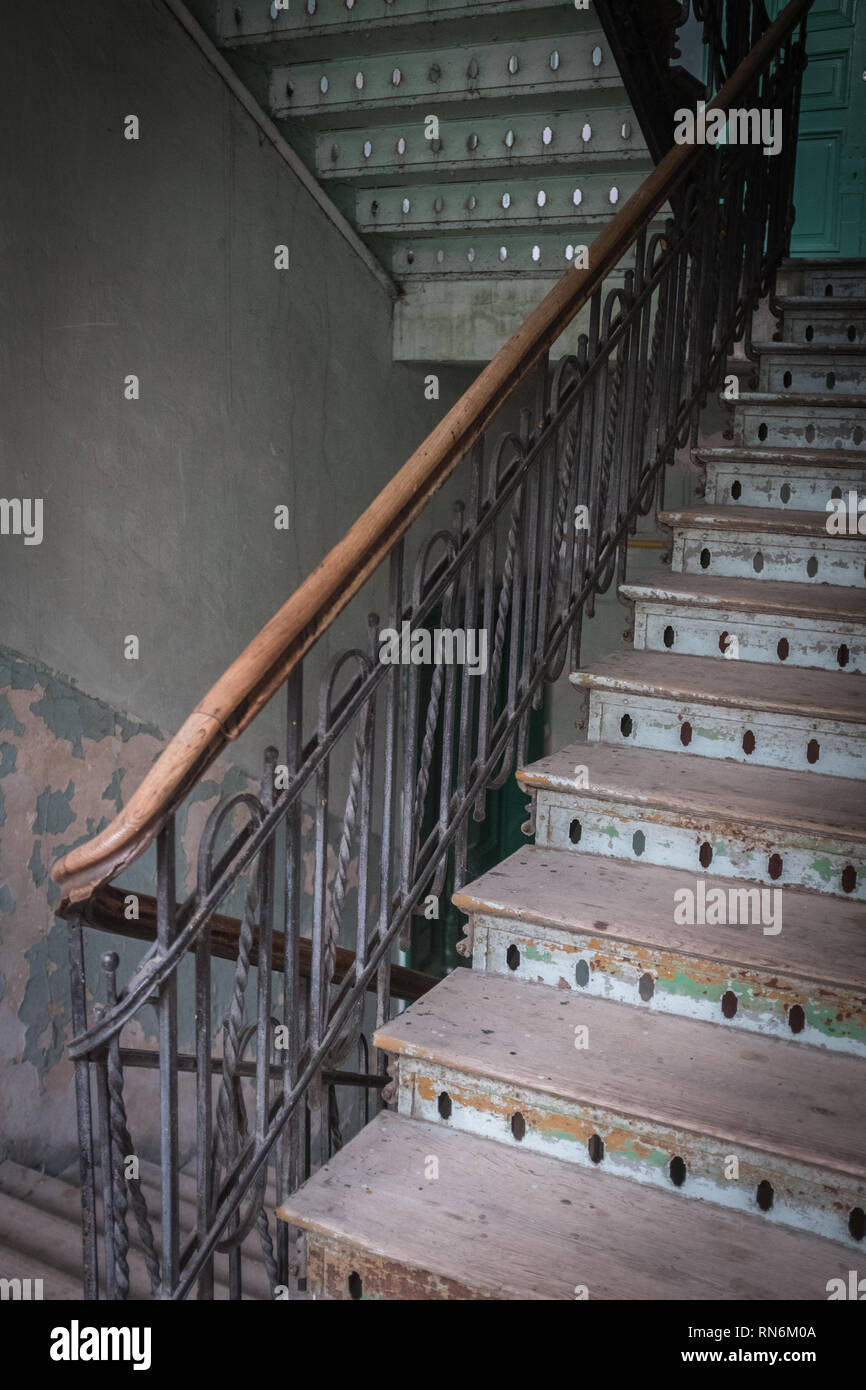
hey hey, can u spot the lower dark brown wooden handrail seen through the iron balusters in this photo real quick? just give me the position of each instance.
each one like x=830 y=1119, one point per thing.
x=105 y=911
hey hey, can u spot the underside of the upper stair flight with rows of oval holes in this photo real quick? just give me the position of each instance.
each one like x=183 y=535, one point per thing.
x=473 y=147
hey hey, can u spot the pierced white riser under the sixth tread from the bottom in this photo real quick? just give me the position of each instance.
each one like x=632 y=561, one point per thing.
x=694 y=633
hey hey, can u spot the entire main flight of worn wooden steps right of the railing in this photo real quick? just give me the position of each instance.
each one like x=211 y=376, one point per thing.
x=651 y=1082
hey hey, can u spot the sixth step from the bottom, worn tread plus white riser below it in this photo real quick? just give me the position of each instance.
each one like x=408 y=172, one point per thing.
x=818 y=626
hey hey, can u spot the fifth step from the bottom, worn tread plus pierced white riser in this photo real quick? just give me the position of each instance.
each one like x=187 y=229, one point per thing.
x=774 y=717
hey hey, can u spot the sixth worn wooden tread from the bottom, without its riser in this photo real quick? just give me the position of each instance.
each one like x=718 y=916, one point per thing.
x=828 y=603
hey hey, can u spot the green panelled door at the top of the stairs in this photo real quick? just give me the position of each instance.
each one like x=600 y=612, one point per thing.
x=832 y=148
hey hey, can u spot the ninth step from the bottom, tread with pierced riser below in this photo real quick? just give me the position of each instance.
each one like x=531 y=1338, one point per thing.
x=799 y=419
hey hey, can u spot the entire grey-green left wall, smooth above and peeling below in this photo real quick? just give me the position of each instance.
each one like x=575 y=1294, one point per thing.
x=258 y=389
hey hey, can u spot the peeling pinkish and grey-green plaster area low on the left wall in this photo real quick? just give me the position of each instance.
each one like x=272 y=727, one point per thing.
x=65 y=761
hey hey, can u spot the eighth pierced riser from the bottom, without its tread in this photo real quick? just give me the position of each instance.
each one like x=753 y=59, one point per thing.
x=776 y=486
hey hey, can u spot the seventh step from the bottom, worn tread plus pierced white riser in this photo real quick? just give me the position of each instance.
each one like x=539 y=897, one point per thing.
x=771 y=544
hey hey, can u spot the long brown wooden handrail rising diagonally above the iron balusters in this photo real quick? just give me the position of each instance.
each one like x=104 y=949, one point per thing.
x=263 y=667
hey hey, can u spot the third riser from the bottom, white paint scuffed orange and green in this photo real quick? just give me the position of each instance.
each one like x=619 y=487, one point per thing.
x=664 y=982
